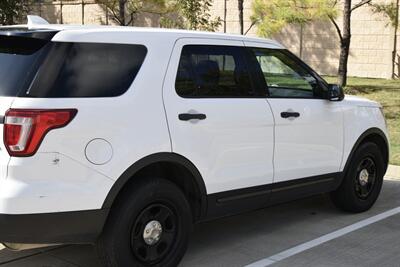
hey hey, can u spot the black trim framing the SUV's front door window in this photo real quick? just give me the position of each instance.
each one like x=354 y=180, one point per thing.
x=257 y=75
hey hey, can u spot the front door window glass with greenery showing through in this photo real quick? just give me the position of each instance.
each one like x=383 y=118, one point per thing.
x=284 y=76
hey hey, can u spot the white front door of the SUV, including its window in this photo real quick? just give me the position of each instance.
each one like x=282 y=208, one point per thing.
x=308 y=128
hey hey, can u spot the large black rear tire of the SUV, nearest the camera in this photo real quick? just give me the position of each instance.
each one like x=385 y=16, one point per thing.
x=122 y=242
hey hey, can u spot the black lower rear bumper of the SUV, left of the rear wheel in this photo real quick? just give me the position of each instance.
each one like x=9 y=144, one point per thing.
x=53 y=228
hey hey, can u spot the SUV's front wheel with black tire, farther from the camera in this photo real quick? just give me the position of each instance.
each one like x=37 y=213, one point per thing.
x=358 y=192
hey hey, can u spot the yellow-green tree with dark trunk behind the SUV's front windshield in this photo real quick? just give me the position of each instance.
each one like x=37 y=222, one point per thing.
x=272 y=15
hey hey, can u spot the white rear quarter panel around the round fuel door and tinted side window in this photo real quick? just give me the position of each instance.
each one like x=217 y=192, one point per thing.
x=134 y=123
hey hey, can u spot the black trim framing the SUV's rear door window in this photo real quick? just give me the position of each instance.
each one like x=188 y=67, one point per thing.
x=244 y=54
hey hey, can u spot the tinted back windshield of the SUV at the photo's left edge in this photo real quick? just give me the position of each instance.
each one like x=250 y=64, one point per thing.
x=19 y=61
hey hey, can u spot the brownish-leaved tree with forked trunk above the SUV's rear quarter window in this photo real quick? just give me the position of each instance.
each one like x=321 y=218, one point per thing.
x=125 y=12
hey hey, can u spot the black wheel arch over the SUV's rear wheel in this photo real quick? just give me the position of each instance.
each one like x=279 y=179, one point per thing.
x=167 y=165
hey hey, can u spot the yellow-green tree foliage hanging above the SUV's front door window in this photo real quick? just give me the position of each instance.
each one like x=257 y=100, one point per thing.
x=272 y=15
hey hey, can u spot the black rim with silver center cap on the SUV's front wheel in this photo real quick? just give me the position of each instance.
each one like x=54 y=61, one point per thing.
x=365 y=178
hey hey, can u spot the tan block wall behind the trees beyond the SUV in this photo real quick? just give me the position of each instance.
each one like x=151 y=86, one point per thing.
x=371 y=47
